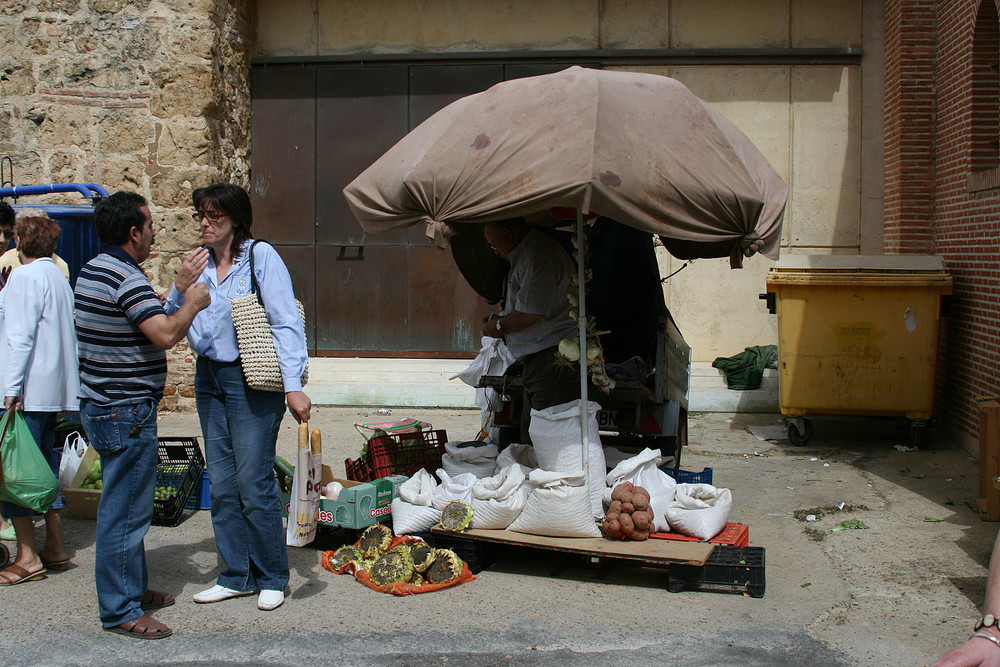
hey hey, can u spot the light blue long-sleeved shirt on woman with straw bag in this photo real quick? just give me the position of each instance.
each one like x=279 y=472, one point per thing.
x=212 y=333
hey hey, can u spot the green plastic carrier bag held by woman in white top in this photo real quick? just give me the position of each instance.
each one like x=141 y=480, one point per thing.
x=25 y=476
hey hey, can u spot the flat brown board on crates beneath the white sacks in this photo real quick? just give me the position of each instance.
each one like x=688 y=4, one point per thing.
x=659 y=552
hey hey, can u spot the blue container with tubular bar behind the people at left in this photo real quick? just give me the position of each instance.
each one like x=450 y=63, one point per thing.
x=78 y=243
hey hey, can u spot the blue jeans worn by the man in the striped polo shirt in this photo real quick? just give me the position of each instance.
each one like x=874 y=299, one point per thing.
x=125 y=437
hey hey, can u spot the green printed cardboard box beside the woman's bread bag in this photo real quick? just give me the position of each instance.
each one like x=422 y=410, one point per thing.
x=359 y=505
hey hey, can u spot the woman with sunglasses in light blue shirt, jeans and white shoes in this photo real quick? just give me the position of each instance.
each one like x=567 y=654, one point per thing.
x=240 y=424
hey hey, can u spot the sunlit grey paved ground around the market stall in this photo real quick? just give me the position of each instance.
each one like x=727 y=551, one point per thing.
x=900 y=592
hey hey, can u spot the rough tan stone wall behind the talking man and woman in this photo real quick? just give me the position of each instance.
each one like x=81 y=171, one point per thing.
x=146 y=96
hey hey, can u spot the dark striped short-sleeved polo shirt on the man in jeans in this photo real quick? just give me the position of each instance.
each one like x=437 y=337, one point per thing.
x=118 y=364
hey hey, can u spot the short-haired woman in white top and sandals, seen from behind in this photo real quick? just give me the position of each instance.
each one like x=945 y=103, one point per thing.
x=39 y=375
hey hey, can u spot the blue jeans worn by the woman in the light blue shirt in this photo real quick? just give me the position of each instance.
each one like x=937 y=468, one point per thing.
x=240 y=427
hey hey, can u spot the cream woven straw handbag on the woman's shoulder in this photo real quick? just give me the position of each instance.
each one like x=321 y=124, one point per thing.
x=255 y=340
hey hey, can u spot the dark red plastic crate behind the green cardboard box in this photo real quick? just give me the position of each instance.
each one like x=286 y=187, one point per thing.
x=398 y=454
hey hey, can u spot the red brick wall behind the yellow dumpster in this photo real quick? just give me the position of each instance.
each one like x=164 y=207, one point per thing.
x=929 y=204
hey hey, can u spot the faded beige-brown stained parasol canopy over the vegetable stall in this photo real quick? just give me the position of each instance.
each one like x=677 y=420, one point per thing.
x=638 y=148
